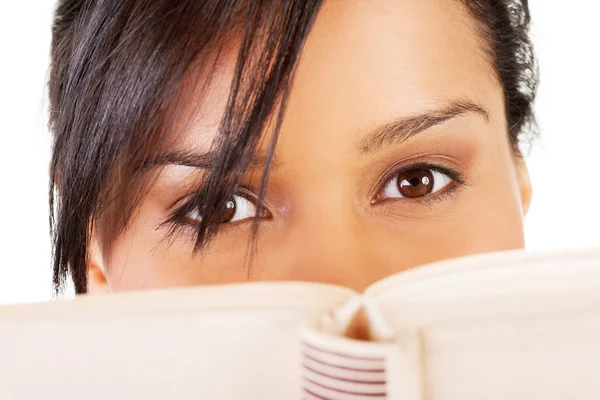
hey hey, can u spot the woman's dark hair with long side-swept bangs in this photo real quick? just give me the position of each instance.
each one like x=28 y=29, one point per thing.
x=119 y=73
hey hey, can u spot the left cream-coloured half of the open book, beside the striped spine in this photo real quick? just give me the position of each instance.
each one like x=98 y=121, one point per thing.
x=201 y=343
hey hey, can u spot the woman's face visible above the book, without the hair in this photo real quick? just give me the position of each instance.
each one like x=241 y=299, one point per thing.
x=393 y=153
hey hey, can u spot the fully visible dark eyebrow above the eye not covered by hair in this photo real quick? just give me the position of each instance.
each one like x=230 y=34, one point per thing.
x=406 y=127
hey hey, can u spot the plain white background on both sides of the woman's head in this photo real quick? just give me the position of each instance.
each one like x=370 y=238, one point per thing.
x=564 y=164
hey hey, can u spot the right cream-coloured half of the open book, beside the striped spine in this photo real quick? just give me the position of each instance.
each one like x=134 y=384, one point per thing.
x=511 y=325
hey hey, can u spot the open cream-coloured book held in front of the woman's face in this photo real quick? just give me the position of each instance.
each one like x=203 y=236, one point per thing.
x=499 y=326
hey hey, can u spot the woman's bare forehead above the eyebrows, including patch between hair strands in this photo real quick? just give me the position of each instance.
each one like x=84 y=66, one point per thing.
x=367 y=62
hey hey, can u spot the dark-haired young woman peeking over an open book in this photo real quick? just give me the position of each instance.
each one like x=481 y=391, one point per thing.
x=338 y=141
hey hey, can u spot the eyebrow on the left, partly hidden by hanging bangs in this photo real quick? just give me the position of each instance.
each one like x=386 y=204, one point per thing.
x=196 y=159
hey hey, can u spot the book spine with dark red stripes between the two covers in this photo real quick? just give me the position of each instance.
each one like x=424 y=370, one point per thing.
x=339 y=365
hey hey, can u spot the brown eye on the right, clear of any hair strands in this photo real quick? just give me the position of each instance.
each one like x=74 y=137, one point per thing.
x=418 y=182
